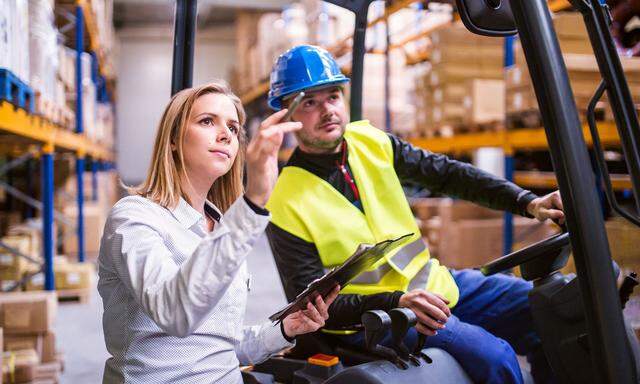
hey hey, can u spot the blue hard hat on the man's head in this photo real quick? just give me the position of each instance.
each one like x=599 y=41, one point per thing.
x=300 y=68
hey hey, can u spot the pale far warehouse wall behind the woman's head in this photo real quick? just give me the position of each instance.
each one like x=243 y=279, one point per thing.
x=144 y=86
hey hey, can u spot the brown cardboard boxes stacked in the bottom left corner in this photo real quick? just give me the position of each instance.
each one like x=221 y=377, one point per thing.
x=29 y=342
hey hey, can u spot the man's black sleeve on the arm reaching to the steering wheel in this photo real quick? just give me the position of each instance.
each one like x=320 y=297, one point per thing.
x=442 y=175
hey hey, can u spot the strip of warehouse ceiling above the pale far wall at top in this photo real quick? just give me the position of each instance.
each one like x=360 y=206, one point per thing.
x=132 y=13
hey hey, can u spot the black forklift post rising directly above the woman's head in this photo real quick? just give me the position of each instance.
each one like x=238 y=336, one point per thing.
x=183 y=44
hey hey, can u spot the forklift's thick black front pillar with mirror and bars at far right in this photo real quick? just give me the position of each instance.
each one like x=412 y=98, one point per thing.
x=531 y=19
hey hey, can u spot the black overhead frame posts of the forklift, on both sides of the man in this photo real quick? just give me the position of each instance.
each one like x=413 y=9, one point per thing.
x=612 y=357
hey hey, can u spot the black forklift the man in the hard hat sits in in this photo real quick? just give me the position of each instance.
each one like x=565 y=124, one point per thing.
x=578 y=317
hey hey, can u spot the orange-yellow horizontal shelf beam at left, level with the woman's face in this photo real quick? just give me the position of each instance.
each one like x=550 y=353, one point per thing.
x=18 y=122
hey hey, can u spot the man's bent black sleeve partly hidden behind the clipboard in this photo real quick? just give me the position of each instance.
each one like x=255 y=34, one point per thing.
x=299 y=264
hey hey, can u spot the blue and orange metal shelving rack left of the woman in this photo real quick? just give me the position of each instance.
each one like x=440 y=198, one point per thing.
x=31 y=131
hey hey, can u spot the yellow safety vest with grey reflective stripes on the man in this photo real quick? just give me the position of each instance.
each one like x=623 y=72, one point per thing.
x=310 y=208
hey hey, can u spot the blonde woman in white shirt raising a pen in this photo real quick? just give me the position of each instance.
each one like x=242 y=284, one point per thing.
x=172 y=270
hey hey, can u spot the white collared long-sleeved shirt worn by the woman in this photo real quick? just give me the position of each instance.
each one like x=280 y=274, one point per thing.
x=174 y=295
